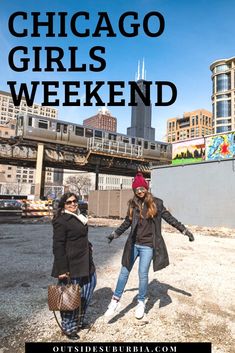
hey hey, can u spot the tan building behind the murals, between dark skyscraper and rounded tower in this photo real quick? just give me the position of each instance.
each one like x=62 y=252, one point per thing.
x=192 y=124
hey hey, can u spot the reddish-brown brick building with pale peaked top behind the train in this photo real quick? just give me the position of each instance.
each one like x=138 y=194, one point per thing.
x=102 y=120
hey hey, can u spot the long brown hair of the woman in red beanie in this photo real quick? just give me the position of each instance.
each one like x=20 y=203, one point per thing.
x=135 y=202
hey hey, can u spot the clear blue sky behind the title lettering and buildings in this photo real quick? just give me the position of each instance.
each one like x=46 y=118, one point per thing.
x=196 y=34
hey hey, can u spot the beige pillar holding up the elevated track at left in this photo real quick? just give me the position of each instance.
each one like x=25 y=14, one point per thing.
x=40 y=173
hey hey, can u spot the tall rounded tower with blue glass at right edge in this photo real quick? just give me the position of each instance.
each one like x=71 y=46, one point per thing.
x=223 y=95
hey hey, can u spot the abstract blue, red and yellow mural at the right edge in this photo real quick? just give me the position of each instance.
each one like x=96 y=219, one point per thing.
x=220 y=146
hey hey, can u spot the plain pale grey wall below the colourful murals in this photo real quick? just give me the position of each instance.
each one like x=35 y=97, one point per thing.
x=200 y=194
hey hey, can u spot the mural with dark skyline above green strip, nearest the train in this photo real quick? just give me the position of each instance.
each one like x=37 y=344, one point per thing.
x=192 y=151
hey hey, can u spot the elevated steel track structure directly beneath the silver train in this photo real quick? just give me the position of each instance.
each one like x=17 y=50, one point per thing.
x=23 y=152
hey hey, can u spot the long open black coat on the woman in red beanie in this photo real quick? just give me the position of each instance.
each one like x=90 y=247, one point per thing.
x=160 y=255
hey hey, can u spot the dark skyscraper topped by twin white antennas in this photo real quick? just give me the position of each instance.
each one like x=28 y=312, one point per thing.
x=141 y=114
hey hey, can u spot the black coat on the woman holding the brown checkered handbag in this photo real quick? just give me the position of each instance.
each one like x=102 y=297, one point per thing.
x=71 y=248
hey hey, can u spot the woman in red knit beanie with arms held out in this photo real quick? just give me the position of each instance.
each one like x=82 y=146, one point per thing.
x=144 y=241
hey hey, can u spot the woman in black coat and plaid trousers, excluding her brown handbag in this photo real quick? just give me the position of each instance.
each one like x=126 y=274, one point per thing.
x=73 y=258
